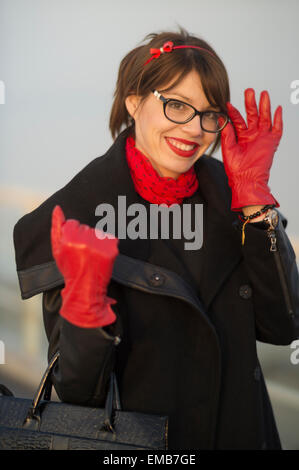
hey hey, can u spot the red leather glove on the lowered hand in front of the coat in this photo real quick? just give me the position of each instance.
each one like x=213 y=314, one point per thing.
x=86 y=263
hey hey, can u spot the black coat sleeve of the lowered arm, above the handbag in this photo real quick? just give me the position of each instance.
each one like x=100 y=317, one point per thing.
x=87 y=355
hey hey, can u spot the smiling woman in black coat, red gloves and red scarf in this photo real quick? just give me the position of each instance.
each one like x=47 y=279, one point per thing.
x=179 y=326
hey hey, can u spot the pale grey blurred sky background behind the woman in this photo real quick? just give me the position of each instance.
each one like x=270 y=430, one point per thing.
x=59 y=61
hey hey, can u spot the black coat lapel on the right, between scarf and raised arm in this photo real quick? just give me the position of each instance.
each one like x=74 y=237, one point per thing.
x=221 y=243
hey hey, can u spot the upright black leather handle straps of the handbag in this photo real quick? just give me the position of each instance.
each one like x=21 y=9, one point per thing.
x=33 y=417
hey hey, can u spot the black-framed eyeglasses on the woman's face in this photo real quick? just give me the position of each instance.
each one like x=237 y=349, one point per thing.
x=180 y=112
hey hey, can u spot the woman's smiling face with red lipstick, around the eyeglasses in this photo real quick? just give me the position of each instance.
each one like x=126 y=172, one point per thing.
x=171 y=148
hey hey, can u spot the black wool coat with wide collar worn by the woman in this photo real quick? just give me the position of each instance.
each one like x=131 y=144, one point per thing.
x=189 y=353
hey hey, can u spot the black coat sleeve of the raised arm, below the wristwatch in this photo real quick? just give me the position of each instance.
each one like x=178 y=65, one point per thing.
x=275 y=283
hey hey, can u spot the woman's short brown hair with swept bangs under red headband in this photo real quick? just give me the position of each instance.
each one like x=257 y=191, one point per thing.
x=138 y=79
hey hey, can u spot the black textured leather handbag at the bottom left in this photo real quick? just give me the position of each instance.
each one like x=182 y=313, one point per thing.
x=42 y=424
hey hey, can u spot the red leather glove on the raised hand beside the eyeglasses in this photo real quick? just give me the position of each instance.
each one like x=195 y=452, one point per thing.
x=248 y=151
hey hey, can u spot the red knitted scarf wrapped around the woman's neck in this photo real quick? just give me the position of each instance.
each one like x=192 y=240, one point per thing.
x=154 y=188
